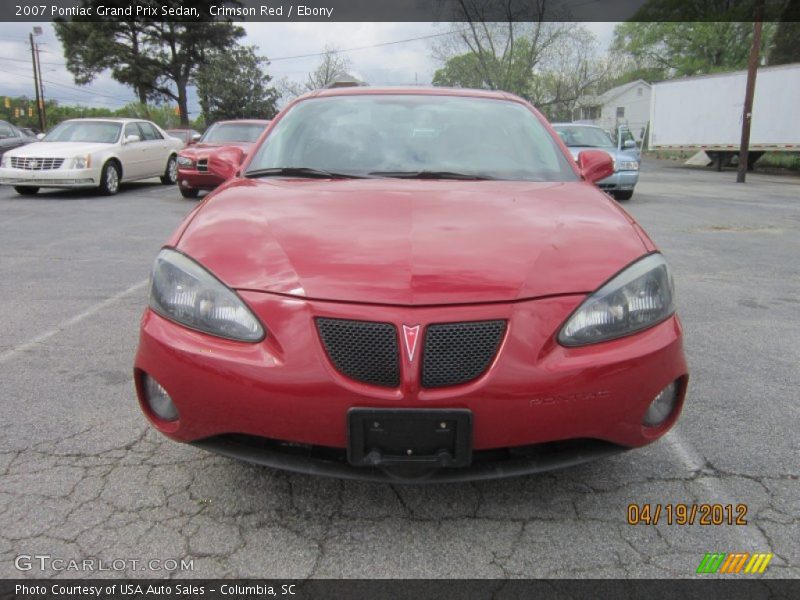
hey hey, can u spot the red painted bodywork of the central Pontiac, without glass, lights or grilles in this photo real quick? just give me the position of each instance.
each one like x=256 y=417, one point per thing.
x=411 y=254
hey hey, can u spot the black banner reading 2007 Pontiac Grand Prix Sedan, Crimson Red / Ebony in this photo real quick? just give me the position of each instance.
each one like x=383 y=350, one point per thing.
x=397 y=10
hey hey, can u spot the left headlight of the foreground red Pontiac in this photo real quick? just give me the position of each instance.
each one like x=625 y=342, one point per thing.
x=186 y=293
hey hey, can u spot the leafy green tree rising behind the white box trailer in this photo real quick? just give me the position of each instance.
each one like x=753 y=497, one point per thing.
x=679 y=48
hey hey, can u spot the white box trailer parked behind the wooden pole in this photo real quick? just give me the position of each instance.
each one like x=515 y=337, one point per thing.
x=705 y=113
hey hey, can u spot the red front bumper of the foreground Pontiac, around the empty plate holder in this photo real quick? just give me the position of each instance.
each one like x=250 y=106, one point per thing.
x=285 y=389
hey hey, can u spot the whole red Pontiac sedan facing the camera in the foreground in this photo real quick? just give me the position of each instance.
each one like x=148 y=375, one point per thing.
x=412 y=285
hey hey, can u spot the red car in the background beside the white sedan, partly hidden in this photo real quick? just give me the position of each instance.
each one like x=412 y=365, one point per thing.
x=227 y=140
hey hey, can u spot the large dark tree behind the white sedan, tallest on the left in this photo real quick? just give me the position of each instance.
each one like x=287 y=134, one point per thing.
x=159 y=59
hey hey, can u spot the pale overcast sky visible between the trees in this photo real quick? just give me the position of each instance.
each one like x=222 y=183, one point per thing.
x=394 y=64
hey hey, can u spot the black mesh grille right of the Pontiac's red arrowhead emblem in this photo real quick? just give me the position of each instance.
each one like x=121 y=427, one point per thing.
x=456 y=353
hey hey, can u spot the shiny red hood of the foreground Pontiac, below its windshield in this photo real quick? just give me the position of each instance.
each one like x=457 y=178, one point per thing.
x=411 y=242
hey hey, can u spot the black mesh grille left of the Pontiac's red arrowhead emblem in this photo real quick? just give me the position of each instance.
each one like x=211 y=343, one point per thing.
x=362 y=350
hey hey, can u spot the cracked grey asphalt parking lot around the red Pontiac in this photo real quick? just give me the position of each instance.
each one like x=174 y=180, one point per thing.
x=83 y=475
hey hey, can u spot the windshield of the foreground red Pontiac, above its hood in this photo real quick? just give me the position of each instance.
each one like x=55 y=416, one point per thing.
x=405 y=135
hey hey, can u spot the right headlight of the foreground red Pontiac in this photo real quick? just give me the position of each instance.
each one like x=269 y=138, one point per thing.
x=639 y=297
